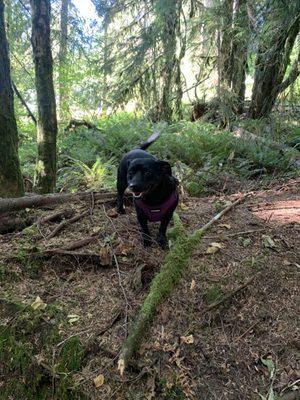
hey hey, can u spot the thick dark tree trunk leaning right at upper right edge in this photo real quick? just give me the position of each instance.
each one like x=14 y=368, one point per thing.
x=271 y=65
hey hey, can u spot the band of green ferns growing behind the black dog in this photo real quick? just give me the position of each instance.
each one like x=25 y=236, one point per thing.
x=199 y=152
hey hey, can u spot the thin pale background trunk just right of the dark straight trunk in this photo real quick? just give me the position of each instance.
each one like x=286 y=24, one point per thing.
x=64 y=110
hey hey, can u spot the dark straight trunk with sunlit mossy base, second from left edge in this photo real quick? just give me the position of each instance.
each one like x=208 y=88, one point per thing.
x=47 y=123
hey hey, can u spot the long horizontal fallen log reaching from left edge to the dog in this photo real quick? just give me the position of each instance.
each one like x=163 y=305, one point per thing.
x=20 y=203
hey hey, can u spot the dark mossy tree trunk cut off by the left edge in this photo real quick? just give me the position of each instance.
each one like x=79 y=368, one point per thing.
x=11 y=183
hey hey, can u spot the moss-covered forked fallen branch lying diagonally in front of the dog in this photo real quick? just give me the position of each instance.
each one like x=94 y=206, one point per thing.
x=164 y=282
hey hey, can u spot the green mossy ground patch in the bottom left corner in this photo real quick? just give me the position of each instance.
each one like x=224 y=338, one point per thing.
x=31 y=364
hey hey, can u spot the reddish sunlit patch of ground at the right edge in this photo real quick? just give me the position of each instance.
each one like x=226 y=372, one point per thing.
x=281 y=212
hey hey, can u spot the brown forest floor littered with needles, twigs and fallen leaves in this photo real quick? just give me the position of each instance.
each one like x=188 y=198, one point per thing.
x=202 y=344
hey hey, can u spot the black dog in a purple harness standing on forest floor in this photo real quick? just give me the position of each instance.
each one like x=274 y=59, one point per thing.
x=153 y=187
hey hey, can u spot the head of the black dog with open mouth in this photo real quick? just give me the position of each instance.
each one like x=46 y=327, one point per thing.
x=144 y=174
